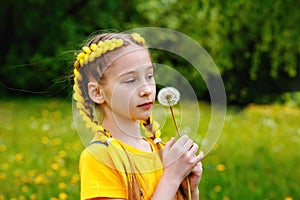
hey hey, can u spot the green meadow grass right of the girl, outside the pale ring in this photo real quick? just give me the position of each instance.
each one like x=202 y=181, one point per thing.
x=257 y=156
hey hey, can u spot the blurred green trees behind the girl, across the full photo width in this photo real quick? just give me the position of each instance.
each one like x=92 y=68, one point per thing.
x=255 y=44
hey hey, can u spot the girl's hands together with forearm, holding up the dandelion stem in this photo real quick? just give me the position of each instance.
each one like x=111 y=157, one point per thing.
x=179 y=160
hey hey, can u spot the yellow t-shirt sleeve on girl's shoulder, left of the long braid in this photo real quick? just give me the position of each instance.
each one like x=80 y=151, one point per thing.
x=98 y=179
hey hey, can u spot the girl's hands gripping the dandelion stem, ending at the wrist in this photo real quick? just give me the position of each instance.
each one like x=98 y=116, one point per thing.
x=179 y=159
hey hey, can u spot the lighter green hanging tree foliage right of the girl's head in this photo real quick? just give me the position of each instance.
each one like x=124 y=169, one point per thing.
x=254 y=43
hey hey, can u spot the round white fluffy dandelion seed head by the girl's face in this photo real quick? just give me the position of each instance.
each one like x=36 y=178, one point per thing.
x=168 y=96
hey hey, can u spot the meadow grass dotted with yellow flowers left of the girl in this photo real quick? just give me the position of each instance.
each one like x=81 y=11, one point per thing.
x=39 y=150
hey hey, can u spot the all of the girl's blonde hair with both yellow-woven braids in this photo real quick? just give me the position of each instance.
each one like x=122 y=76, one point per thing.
x=91 y=63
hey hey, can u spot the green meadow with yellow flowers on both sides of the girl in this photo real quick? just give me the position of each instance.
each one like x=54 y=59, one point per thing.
x=256 y=157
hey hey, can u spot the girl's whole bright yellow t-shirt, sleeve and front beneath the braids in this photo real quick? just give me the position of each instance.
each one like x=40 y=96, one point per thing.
x=99 y=178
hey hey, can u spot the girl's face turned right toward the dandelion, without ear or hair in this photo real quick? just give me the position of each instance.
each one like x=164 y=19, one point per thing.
x=129 y=86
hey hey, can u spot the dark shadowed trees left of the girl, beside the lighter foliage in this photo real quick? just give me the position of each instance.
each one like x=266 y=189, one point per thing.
x=40 y=39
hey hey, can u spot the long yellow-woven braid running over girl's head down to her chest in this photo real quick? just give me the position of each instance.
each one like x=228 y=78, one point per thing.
x=89 y=64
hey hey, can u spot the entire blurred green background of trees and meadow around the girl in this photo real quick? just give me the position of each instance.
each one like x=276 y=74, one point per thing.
x=255 y=44
